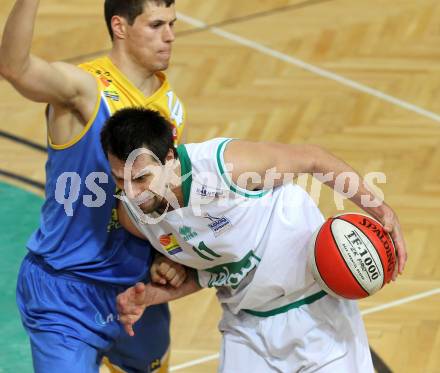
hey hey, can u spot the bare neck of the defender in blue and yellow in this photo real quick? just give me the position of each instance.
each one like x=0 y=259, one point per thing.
x=144 y=80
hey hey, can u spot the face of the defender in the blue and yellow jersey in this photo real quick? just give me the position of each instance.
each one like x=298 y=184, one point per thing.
x=150 y=38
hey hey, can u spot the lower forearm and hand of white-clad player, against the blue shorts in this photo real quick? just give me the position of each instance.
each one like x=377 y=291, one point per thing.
x=132 y=302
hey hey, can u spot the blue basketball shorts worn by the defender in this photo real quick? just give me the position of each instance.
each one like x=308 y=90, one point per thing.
x=72 y=324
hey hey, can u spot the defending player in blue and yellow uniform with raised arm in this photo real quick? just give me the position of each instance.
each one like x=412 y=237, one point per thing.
x=80 y=258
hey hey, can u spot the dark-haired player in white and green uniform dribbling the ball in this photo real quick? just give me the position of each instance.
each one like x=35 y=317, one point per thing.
x=244 y=233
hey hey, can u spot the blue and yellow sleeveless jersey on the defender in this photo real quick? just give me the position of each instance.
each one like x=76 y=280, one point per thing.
x=79 y=232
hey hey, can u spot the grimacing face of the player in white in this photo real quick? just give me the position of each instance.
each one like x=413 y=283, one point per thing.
x=143 y=180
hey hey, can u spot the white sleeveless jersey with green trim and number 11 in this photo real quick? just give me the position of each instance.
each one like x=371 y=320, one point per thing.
x=250 y=245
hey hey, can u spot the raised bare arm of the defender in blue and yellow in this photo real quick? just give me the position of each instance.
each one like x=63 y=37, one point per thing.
x=55 y=83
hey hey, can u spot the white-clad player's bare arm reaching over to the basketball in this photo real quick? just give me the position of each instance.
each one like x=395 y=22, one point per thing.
x=272 y=161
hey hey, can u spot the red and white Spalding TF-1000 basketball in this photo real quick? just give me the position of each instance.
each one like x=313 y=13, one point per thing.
x=351 y=256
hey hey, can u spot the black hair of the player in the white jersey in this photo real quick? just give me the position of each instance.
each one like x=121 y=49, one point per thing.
x=134 y=128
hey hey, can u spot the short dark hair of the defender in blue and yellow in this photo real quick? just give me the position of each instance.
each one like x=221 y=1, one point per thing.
x=129 y=9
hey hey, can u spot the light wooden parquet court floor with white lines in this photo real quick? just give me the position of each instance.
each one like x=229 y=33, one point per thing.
x=360 y=77
